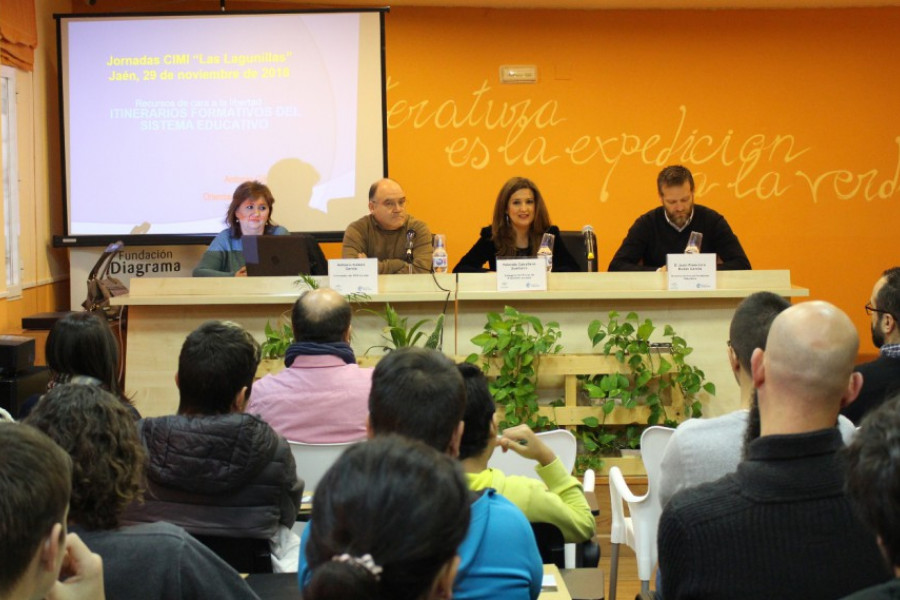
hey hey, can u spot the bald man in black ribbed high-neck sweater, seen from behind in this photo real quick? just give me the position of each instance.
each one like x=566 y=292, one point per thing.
x=780 y=526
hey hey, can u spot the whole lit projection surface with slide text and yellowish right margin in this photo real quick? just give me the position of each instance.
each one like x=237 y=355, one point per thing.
x=165 y=116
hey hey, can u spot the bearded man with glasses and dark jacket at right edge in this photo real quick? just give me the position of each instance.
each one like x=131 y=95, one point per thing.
x=881 y=377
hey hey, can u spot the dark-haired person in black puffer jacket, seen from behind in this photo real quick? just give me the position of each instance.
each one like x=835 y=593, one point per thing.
x=213 y=469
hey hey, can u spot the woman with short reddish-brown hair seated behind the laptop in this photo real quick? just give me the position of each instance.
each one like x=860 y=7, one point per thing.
x=250 y=213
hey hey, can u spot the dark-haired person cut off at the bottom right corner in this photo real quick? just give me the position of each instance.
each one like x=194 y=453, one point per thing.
x=873 y=484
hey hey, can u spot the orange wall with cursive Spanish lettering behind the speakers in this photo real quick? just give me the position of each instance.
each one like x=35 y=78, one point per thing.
x=787 y=118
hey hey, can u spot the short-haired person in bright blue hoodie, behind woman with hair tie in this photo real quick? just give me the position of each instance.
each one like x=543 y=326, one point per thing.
x=420 y=394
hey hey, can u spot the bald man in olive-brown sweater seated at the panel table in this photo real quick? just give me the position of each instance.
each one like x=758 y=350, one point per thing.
x=400 y=242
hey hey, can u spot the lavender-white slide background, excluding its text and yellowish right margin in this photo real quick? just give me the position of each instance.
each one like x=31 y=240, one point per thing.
x=123 y=172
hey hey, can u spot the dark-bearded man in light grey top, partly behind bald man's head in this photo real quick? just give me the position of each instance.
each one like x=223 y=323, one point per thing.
x=703 y=450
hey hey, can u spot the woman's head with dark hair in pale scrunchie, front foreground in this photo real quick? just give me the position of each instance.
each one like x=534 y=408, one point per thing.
x=386 y=523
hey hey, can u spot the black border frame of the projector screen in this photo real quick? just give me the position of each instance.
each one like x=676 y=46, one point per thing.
x=175 y=239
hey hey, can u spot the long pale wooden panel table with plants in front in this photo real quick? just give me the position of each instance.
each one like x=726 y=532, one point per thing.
x=161 y=312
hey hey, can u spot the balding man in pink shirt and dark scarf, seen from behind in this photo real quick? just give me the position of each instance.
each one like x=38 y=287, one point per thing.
x=322 y=395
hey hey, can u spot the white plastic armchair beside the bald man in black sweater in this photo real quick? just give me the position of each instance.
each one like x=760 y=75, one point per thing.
x=638 y=530
